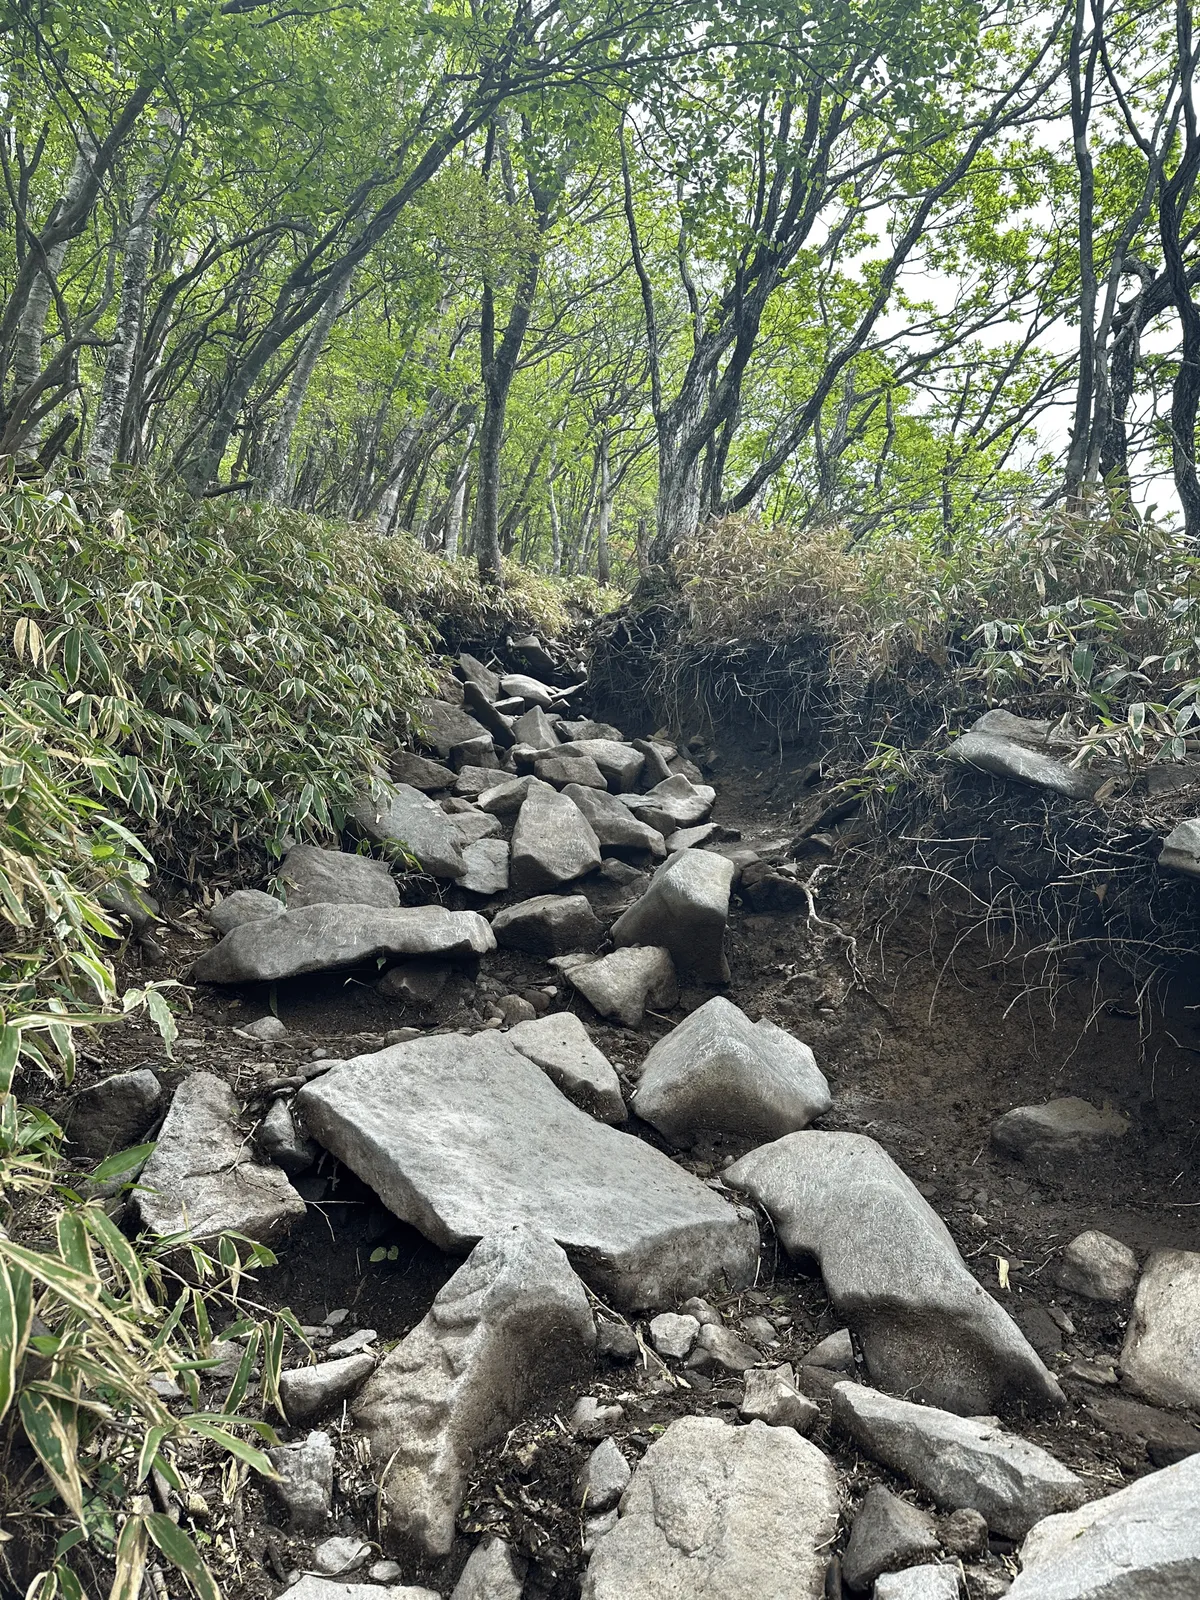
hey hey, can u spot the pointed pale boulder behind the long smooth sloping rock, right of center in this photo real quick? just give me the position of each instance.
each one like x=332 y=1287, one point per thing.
x=719 y=1073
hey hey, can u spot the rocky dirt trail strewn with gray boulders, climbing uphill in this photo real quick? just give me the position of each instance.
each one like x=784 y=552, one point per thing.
x=657 y=1231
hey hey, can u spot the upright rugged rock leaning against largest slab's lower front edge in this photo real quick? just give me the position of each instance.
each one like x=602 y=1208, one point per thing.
x=513 y=1322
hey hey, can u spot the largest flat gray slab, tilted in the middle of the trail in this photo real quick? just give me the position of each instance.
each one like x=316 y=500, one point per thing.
x=463 y=1137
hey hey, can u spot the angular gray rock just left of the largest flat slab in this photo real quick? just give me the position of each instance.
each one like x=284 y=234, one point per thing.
x=201 y=1182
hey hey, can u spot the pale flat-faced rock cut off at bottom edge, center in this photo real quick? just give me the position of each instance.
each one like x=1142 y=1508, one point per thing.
x=719 y=1513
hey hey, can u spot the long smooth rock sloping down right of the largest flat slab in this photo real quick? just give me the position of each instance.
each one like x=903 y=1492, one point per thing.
x=894 y=1271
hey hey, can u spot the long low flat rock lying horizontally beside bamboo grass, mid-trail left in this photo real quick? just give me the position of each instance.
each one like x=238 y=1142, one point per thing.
x=319 y=938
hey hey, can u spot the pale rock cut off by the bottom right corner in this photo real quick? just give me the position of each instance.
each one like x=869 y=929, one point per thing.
x=1140 y=1543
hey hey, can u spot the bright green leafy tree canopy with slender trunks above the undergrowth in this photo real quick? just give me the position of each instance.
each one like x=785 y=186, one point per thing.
x=561 y=282
